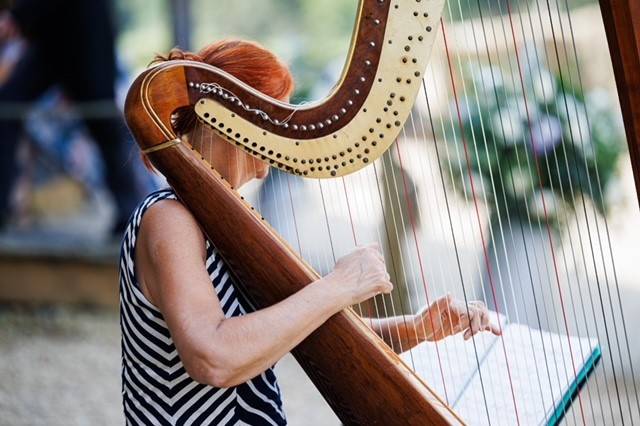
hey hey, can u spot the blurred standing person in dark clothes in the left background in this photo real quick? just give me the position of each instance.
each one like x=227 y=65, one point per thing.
x=70 y=44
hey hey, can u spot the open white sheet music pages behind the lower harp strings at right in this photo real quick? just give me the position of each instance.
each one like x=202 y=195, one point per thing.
x=485 y=396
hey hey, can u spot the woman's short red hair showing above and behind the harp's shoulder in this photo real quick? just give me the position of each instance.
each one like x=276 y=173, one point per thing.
x=247 y=61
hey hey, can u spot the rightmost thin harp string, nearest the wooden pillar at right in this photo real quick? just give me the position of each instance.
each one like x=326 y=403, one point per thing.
x=599 y=186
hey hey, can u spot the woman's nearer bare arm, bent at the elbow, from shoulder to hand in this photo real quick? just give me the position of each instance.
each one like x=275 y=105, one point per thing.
x=224 y=352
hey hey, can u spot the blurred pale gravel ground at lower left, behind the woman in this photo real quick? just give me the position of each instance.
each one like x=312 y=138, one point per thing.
x=62 y=367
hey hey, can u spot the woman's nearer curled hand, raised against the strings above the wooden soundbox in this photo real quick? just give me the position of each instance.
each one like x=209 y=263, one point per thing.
x=360 y=275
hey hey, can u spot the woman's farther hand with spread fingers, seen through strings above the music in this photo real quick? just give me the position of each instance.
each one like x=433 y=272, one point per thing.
x=448 y=316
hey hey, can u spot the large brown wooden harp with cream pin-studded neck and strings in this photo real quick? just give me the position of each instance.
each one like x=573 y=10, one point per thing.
x=347 y=134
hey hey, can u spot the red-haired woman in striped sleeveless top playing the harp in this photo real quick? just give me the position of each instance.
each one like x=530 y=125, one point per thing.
x=192 y=350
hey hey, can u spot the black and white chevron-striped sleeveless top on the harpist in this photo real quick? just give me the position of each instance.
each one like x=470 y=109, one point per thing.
x=156 y=389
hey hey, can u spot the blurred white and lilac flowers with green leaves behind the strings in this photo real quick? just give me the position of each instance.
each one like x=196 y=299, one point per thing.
x=534 y=154
